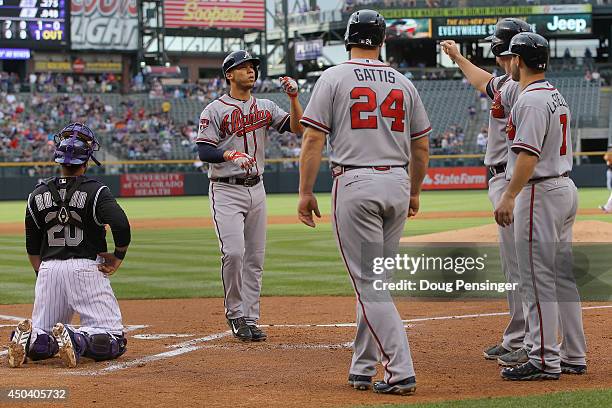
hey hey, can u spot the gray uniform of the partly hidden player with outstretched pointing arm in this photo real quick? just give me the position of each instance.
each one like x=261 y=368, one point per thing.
x=504 y=91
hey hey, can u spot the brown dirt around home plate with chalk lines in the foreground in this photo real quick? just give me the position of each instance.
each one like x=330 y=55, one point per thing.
x=297 y=366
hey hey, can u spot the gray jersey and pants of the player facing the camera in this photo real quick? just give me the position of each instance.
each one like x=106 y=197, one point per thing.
x=239 y=212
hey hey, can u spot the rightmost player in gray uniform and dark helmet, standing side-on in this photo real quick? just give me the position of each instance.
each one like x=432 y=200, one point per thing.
x=543 y=201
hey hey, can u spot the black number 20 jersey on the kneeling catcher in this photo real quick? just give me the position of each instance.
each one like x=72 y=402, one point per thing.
x=91 y=206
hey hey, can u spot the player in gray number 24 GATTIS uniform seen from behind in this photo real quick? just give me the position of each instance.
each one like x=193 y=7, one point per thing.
x=377 y=129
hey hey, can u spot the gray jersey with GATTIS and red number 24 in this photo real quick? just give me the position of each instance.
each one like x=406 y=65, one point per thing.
x=370 y=111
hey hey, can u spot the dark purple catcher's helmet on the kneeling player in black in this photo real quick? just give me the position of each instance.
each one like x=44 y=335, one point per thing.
x=75 y=144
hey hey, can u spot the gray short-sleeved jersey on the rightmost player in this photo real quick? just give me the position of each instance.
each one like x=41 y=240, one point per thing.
x=540 y=123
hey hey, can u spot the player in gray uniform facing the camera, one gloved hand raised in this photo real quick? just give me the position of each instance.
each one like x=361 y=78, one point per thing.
x=231 y=137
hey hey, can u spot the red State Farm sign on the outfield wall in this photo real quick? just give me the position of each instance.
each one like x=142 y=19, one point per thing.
x=455 y=178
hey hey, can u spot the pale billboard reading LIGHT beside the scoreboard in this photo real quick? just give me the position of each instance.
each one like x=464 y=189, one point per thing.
x=104 y=25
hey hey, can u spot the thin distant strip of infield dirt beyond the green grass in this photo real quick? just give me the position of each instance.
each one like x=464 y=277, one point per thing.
x=206 y=222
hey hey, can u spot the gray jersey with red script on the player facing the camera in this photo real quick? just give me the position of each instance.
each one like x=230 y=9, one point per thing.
x=232 y=124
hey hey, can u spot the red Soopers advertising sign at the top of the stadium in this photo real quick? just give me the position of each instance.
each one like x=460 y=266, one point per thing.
x=243 y=14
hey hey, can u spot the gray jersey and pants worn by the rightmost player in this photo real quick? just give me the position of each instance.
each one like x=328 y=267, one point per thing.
x=544 y=215
